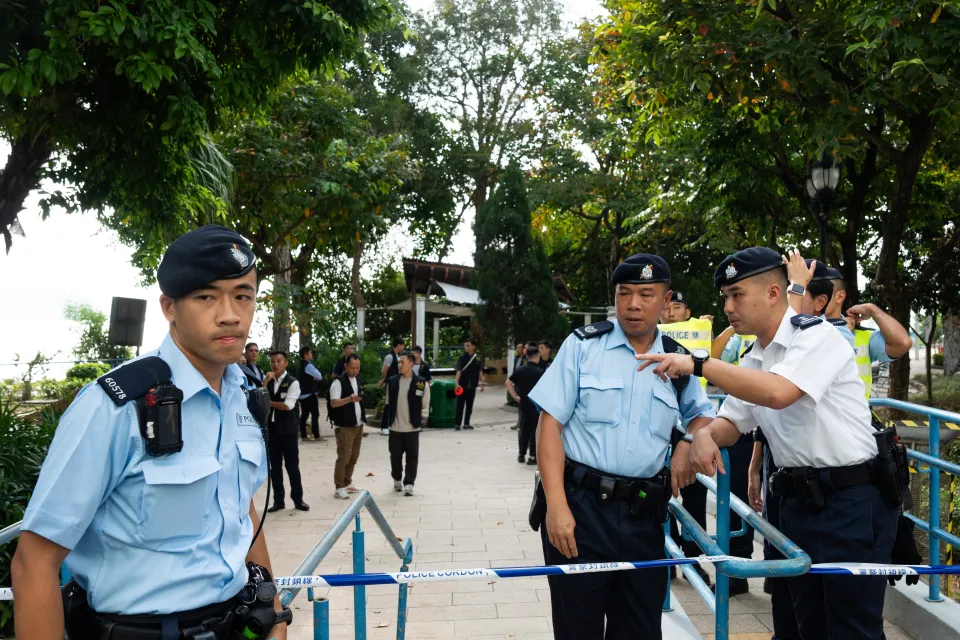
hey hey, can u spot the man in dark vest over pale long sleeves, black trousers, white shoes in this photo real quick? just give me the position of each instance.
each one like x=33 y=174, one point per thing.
x=409 y=395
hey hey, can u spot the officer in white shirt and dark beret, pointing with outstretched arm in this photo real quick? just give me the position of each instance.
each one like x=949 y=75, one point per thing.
x=799 y=382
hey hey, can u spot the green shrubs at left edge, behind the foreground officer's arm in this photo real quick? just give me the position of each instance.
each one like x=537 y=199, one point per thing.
x=23 y=446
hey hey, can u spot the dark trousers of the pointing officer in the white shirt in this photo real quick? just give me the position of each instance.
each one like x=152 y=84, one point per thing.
x=855 y=525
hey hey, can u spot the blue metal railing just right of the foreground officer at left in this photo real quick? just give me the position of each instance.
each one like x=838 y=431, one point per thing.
x=321 y=606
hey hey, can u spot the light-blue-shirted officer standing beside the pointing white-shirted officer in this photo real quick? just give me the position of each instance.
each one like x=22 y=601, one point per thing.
x=602 y=445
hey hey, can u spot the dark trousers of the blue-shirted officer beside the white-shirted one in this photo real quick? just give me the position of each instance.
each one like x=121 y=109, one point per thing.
x=629 y=602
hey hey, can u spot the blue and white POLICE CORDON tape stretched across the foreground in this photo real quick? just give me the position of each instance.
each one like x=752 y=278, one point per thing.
x=413 y=577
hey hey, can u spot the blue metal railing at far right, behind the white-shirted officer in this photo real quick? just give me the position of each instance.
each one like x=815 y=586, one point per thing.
x=934 y=466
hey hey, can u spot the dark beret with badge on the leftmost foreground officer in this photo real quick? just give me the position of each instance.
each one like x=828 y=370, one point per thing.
x=202 y=256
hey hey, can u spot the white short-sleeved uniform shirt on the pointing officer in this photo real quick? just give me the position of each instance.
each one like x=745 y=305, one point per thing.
x=829 y=426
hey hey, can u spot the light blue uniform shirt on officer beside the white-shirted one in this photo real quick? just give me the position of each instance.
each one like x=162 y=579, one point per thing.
x=616 y=419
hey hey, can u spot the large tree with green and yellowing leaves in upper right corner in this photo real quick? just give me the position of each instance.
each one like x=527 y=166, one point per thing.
x=869 y=82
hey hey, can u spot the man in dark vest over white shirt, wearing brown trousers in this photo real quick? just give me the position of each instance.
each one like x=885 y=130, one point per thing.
x=346 y=413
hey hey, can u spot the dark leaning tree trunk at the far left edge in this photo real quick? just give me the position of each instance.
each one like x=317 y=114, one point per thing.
x=19 y=178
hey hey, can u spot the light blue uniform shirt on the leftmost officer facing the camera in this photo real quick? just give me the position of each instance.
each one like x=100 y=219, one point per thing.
x=153 y=534
